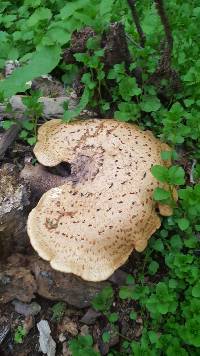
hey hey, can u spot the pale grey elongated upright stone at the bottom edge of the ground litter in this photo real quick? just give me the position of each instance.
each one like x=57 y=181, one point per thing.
x=47 y=344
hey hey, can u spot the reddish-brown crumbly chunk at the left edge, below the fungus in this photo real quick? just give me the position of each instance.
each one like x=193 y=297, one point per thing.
x=16 y=283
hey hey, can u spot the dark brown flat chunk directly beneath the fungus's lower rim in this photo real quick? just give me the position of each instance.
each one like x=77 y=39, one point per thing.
x=65 y=287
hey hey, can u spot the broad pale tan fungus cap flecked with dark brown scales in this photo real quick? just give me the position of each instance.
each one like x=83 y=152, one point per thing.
x=90 y=224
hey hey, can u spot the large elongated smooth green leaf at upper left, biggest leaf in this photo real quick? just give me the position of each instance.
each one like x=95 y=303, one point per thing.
x=43 y=61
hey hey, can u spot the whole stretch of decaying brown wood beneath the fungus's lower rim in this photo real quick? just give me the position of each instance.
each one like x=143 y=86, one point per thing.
x=25 y=276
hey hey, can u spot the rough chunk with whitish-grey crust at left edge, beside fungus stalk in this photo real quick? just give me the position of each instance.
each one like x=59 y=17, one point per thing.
x=14 y=198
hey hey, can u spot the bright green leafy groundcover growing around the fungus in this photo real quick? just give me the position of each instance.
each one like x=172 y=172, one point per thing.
x=165 y=289
